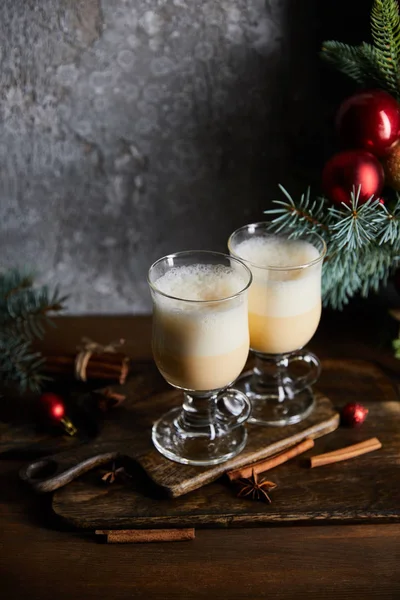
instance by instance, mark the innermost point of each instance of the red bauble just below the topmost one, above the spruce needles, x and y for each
(347, 171)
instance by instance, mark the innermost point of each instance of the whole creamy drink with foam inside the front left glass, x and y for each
(200, 346)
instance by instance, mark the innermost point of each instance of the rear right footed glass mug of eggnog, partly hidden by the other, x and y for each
(284, 313)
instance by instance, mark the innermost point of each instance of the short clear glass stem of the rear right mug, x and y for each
(269, 375)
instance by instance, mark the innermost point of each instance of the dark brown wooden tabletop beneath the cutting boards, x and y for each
(38, 561)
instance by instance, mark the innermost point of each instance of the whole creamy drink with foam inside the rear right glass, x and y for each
(284, 306)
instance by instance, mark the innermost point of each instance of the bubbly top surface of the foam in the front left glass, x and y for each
(200, 282)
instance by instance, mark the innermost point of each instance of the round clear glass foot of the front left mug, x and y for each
(205, 447)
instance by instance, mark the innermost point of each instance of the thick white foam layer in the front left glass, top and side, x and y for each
(202, 329)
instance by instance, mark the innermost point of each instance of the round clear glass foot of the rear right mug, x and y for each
(268, 409)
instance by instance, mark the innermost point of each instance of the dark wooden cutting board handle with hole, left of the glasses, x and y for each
(52, 472)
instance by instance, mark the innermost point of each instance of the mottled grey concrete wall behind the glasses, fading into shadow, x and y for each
(134, 128)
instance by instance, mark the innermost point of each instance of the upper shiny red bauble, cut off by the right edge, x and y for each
(369, 120)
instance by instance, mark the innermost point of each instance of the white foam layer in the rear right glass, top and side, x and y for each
(281, 293)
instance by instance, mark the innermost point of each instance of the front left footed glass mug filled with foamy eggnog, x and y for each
(200, 345)
